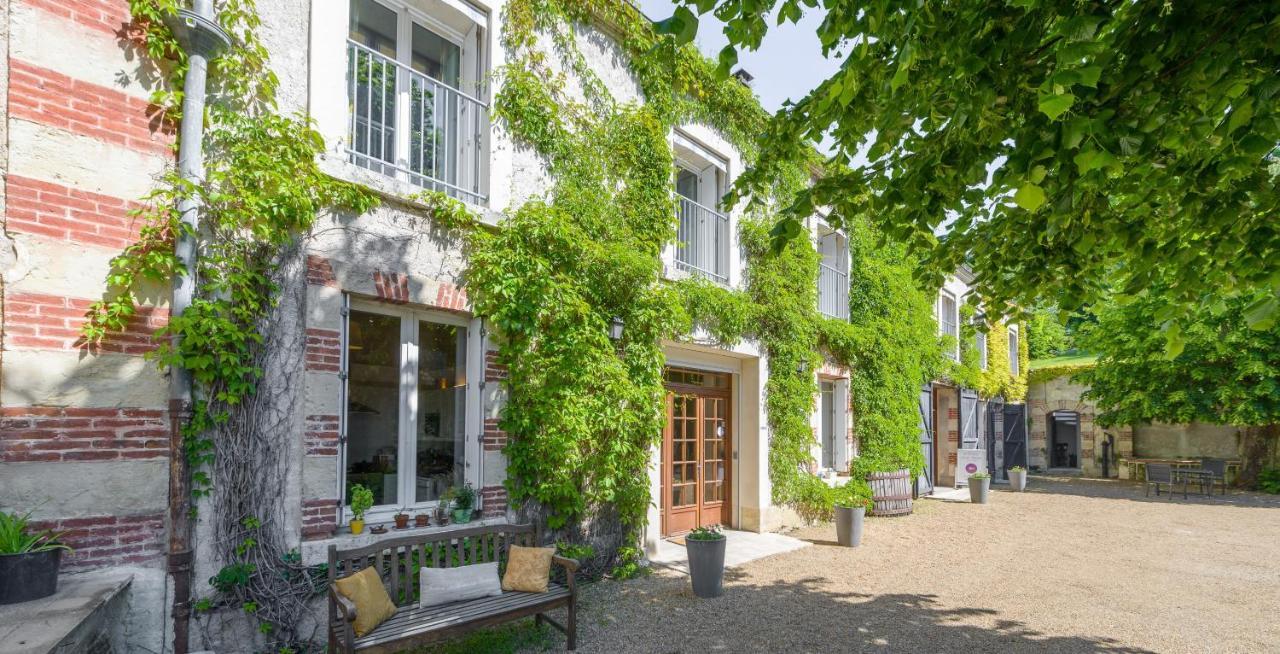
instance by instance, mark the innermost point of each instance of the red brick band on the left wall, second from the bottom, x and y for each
(83, 435)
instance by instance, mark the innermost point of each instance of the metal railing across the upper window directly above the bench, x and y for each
(445, 145)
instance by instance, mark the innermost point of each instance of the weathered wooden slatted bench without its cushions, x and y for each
(397, 562)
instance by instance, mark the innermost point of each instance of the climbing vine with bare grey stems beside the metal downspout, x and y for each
(262, 193)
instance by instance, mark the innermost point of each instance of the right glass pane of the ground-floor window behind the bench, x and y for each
(441, 432)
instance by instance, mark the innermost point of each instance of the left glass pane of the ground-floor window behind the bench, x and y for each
(373, 405)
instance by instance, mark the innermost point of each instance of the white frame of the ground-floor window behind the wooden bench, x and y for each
(406, 454)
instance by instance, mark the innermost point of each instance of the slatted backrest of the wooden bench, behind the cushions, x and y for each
(399, 560)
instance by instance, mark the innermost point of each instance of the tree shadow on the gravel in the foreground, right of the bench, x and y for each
(660, 615)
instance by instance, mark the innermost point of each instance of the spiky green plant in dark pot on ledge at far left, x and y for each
(29, 560)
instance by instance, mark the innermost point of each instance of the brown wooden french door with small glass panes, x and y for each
(696, 452)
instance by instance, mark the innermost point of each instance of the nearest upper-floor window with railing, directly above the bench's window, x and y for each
(414, 93)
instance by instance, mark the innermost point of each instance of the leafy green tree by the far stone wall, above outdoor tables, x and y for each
(1226, 374)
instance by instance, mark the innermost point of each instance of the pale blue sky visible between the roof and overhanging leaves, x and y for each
(788, 66)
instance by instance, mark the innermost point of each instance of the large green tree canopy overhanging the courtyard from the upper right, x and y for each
(1050, 143)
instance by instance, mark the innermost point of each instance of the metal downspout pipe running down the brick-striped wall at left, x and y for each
(202, 38)
